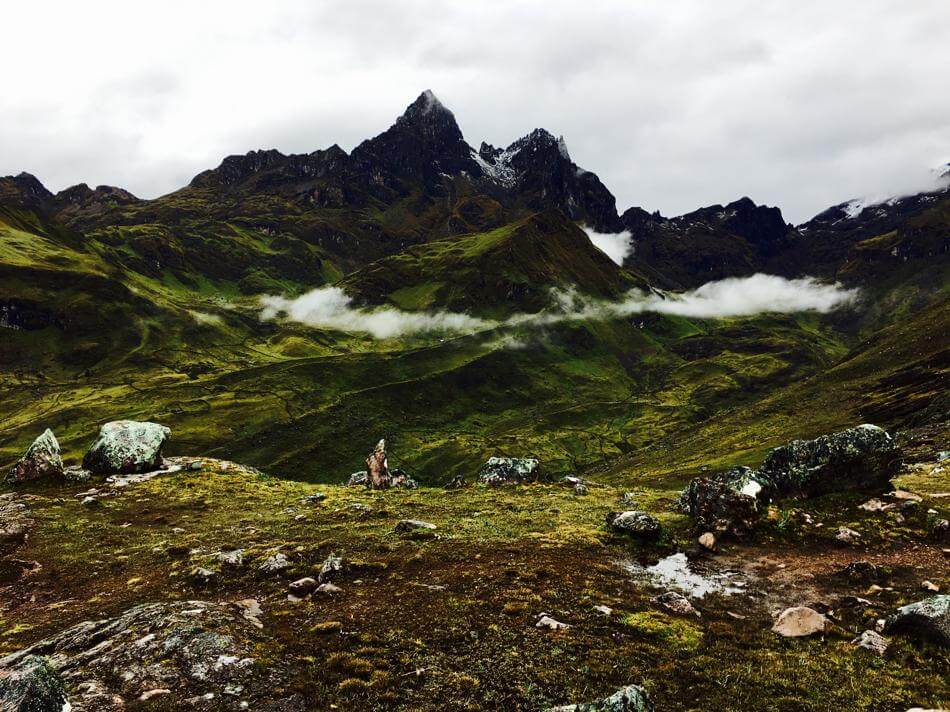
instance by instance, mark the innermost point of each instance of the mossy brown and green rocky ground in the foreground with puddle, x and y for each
(209, 585)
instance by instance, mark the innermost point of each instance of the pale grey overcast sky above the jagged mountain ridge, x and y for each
(673, 104)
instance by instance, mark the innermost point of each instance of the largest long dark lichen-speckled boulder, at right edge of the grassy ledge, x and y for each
(865, 457)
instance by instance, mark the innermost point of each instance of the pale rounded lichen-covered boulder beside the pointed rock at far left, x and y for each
(125, 447)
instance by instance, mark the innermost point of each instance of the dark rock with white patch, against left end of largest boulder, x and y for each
(727, 502)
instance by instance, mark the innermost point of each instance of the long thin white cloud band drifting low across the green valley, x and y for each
(331, 308)
